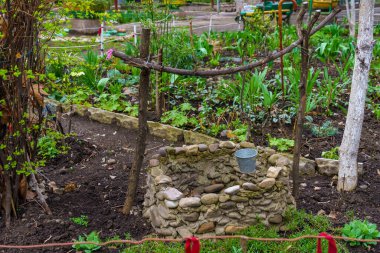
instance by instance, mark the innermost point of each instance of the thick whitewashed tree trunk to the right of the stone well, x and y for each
(348, 173)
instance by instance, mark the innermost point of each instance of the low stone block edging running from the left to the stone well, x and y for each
(167, 132)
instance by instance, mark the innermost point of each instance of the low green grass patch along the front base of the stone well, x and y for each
(297, 223)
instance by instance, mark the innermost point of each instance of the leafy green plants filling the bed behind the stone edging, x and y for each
(245, 102)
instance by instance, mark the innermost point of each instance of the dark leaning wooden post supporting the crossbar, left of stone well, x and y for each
(143, 125)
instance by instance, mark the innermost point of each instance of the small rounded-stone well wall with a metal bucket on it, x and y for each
(199, 189)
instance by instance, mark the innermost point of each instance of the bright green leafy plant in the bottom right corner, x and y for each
(361, 230)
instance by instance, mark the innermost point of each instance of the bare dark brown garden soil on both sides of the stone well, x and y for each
(94, 177)
